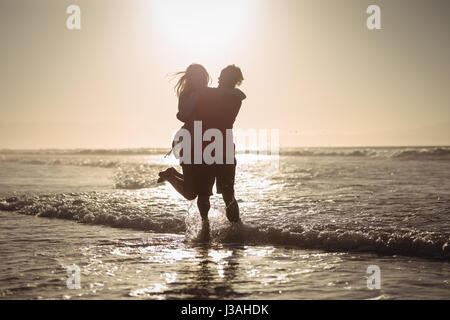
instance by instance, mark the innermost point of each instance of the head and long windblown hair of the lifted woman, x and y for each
(195, 77)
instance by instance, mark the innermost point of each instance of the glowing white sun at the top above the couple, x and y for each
(201, 24)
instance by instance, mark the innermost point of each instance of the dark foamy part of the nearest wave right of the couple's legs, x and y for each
(407, 243)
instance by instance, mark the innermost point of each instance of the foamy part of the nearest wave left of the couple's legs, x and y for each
(95, 208)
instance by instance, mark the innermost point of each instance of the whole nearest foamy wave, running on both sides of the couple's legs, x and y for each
(140, 214)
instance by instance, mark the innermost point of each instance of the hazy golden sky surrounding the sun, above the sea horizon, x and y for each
(312, 69)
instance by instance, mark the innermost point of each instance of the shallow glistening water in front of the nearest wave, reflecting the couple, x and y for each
(119, 264)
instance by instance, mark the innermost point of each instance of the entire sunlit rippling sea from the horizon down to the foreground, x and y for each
(314, 226)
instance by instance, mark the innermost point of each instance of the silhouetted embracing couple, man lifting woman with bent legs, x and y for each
(208, 115)
